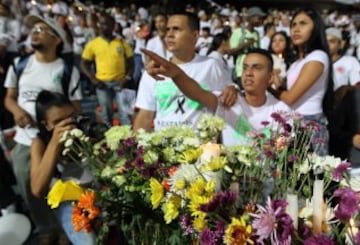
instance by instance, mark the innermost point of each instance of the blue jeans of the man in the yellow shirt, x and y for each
(106, 97)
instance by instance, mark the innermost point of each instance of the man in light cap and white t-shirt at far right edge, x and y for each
(346, 69)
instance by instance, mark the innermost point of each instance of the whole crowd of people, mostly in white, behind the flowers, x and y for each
(241, 64)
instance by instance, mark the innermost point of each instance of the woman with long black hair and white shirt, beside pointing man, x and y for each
(309, 80)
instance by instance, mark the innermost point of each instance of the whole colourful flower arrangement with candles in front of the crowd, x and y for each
(177, 186)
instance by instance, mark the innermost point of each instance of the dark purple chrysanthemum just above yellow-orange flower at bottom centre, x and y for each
(221, 199)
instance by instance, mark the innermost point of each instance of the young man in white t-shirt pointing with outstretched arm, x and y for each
(250, 109)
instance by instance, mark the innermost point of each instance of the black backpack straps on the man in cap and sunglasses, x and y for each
(65, 78)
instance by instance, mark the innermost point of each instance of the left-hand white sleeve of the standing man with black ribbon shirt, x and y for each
(146, 93)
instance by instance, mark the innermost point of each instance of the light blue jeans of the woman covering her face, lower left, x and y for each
(63, 214)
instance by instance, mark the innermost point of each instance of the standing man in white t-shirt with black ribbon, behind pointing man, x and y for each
(163, 101)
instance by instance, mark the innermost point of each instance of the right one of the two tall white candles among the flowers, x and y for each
(318, 206)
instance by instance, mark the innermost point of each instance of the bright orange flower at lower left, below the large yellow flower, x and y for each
(84, 212)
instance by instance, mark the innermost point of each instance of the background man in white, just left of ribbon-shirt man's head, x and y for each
(157, 43)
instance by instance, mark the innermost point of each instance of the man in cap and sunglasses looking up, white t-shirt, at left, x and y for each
(43, 71)
